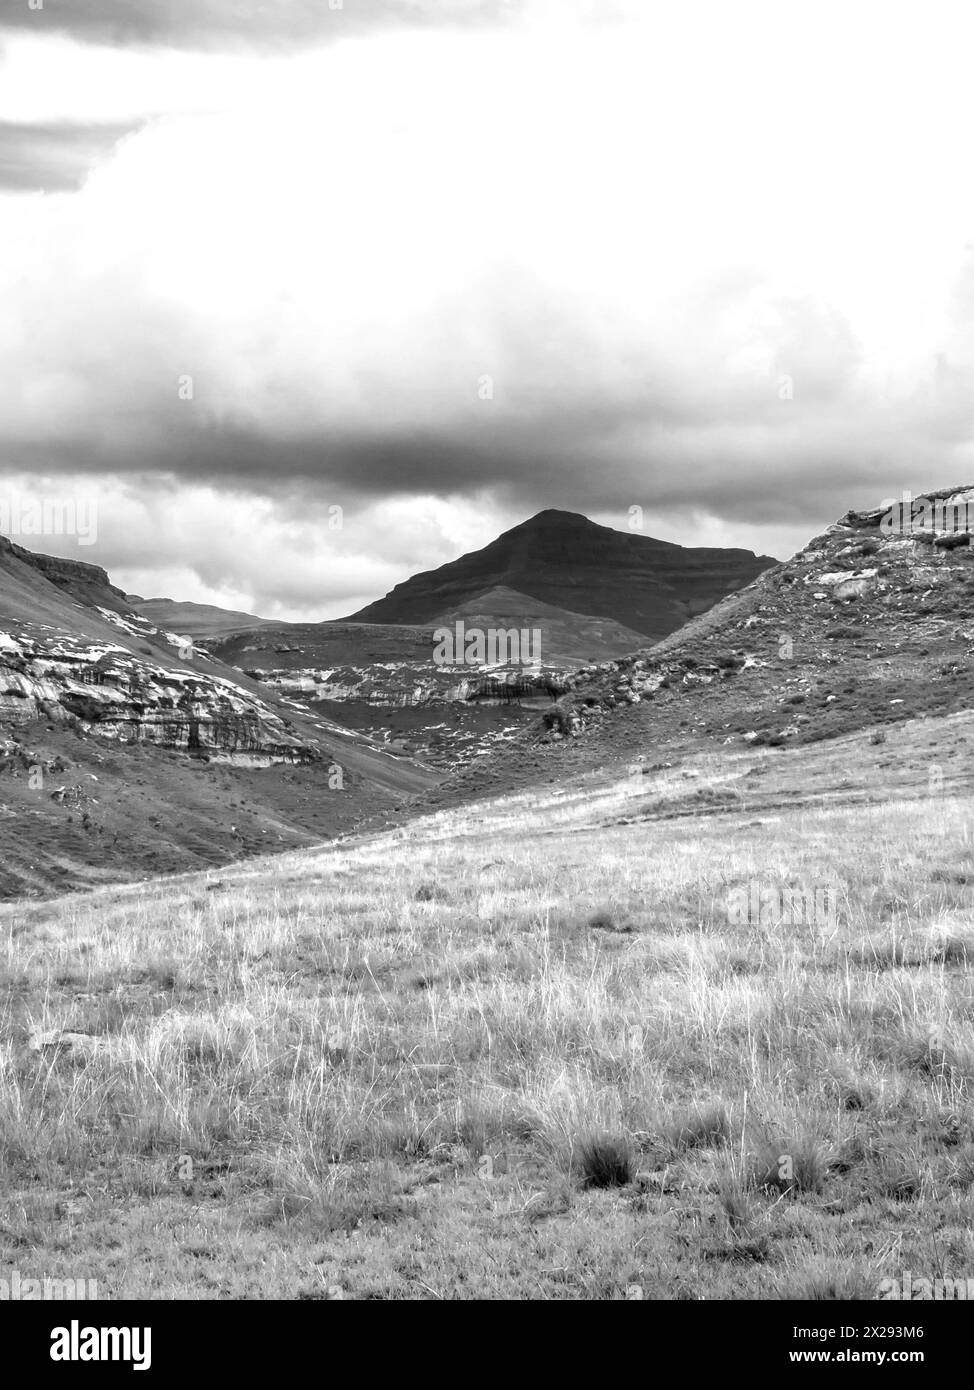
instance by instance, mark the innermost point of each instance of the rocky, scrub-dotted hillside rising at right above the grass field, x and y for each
(870, 623)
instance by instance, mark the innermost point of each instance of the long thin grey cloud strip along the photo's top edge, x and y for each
(206, 24)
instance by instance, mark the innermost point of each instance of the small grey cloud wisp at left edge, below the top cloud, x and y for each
(53, 158)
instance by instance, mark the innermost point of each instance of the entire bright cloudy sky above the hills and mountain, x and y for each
(444, 263)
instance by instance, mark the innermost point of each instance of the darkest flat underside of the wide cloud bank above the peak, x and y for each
(763, 462)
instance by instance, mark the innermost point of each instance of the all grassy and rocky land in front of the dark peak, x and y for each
(648, 985)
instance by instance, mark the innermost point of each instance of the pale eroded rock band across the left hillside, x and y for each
(116, 694)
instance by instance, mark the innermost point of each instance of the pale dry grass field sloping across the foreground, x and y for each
(520, 1050)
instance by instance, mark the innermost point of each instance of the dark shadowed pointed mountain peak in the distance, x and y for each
(563, 559)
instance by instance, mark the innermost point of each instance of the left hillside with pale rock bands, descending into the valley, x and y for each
(124, 753)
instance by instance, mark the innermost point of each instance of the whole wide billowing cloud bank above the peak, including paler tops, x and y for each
(573, 422)
